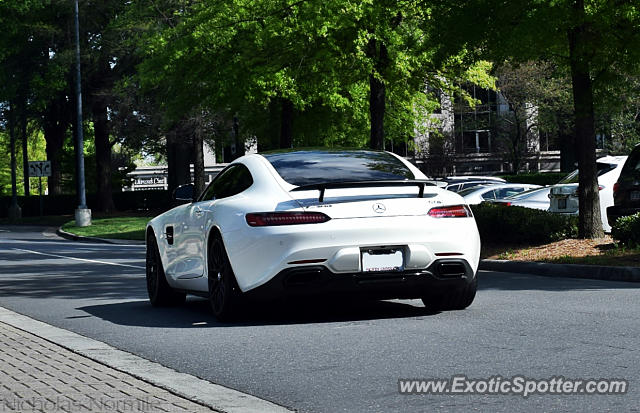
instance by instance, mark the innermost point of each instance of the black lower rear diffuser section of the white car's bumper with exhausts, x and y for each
(442, 276)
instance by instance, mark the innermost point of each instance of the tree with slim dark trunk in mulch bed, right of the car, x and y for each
(590, 38)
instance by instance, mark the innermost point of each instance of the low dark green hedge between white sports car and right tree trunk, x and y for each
(503, 224)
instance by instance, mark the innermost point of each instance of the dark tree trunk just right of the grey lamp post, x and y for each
(103, 154)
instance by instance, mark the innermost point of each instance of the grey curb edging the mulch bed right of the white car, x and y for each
(592, 272)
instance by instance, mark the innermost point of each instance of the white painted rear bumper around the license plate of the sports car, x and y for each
(257, 255)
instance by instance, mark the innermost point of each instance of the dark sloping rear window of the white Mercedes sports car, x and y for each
(314, 167)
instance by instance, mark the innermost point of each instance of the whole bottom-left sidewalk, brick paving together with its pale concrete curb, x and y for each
(46, 368)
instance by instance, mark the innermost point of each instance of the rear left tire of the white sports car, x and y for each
(224, 293)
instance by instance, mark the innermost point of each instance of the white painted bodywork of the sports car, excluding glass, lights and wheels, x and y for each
(258, 254)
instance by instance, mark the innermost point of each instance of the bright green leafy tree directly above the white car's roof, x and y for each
(278, 61)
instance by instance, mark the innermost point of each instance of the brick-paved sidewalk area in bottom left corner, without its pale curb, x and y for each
(38, 375)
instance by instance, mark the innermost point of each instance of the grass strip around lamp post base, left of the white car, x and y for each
(113, 228)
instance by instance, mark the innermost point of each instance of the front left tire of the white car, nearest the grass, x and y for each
(160, 293)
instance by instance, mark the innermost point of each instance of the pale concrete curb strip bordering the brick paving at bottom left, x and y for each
(214, 396)
